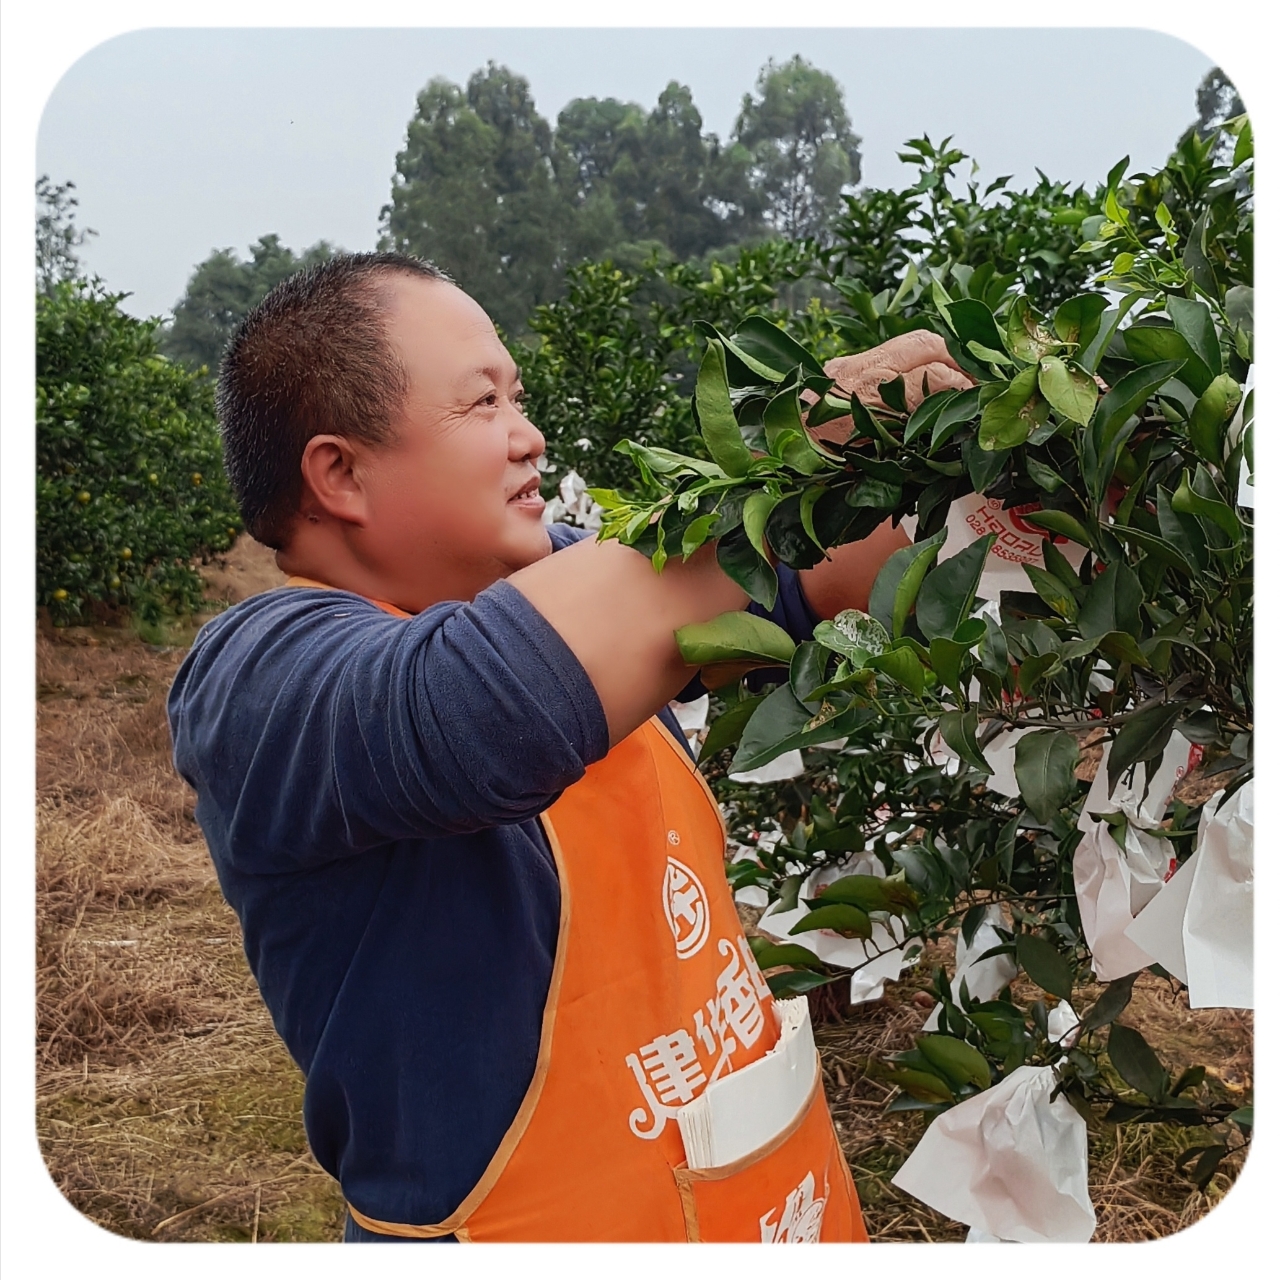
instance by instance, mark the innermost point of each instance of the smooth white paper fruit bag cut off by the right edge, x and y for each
(1201, 926)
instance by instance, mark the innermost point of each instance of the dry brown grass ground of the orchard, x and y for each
(170, 1110)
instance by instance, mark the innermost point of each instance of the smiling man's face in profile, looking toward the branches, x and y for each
(454, 501)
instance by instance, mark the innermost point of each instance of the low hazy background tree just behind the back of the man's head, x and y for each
(223, 291)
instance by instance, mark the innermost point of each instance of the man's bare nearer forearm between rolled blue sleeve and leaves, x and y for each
(619, 618)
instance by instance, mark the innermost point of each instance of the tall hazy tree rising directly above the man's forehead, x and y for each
(477, 193)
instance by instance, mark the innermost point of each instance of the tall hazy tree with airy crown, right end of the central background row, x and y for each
(799, 145)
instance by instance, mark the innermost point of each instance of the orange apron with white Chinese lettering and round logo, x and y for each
(655, 994)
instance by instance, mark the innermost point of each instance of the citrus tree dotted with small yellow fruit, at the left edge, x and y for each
(130, 483)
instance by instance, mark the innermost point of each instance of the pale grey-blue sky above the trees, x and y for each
(182, 141)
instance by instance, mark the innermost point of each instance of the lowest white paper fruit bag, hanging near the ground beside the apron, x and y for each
(1009, 1163)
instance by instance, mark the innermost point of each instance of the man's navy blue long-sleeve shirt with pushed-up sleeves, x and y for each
(369, 789)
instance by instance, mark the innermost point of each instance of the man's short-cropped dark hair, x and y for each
(312, 359)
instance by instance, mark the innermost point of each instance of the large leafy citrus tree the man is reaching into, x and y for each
(1116, 422)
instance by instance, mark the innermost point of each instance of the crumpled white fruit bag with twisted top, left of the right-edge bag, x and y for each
(1114, 884)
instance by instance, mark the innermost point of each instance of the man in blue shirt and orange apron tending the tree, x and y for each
(481, 885)
